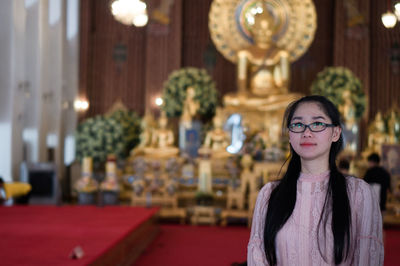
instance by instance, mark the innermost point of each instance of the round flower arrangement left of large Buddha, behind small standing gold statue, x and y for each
(174, 91)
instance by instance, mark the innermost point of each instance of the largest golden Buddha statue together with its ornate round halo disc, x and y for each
(262, 38)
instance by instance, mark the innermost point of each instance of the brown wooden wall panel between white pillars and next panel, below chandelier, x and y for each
(112, 59)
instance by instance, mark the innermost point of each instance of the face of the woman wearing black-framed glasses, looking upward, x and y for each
(313, 145)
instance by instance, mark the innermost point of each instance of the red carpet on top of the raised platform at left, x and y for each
(46, 235)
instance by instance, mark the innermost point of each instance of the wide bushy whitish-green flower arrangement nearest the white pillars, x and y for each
(100, 136)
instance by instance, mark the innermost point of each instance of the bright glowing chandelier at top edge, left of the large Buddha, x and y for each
(130, 12)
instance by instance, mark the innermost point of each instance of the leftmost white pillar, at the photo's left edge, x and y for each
(12, 74)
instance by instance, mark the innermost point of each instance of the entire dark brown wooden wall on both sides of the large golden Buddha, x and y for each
(131, 64)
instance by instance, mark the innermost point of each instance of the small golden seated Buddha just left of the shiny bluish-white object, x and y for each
(217, 140)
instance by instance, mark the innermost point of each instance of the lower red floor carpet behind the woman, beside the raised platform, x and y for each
(193, 245)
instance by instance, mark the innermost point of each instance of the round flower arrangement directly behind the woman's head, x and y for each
(336, 83)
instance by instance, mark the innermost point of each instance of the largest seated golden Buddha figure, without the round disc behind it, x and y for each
(262, 68)
